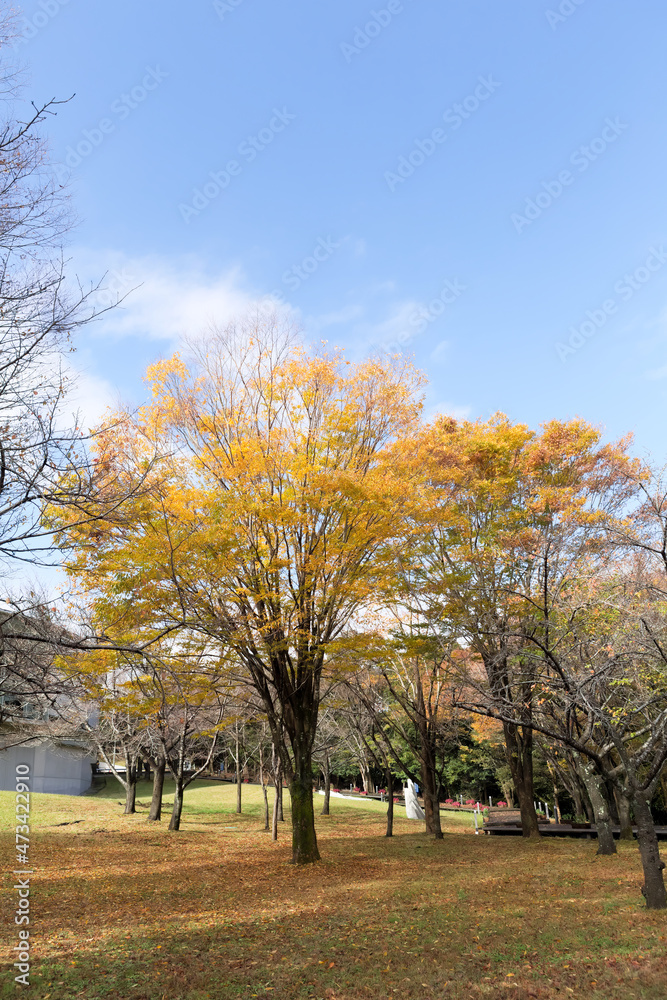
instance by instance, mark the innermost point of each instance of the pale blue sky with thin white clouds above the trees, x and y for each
(480, 184)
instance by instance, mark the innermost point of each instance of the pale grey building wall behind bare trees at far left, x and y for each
(57, 769)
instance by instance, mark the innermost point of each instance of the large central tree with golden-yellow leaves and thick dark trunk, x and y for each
(284, 475)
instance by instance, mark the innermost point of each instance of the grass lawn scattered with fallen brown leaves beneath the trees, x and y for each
(126, 910)
